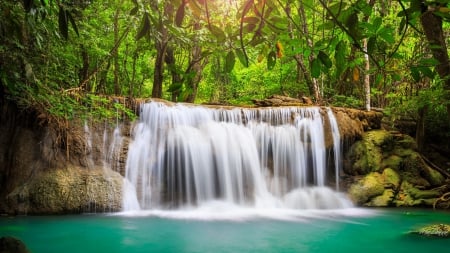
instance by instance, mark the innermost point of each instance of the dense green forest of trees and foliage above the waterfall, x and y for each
(63, 58)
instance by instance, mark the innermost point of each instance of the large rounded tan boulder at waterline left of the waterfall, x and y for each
(71, 190)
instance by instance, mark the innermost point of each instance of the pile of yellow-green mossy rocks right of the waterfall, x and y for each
(387, 170)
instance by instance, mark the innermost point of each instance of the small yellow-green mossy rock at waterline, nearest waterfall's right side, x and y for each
(368, 187)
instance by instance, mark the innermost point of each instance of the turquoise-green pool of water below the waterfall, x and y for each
(352, 230)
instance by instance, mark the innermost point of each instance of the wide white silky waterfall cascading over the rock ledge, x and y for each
(184, 156)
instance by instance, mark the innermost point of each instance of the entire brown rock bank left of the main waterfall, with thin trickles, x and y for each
(39, 174)
